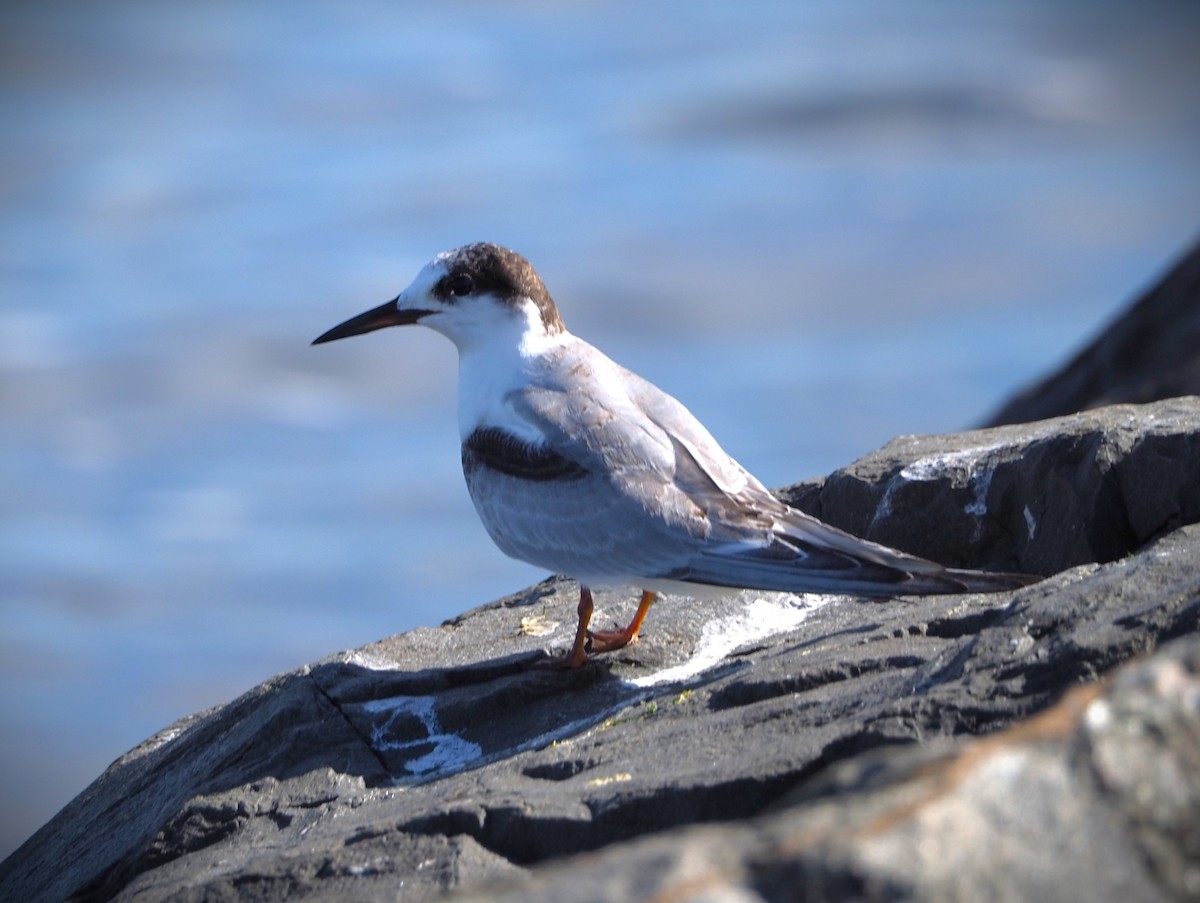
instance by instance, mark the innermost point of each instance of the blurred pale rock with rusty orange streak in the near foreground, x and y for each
(1093, 799)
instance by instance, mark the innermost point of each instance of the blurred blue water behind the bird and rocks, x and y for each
(819, 224)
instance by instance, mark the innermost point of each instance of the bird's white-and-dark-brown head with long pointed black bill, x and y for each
(470, 295)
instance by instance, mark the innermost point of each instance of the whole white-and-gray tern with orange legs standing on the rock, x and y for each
(580, 467)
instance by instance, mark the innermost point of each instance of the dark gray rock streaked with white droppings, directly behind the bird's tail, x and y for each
(1034, 498)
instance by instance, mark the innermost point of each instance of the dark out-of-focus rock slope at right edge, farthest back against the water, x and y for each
(1149, 354)
